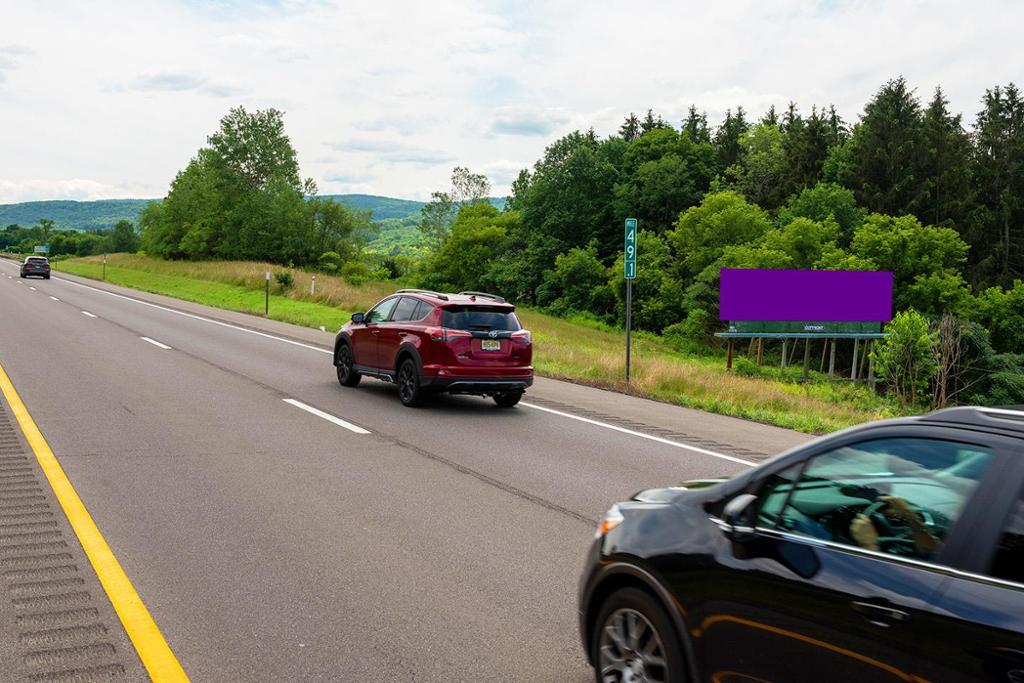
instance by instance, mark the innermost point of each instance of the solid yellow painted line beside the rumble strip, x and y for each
(153, 650)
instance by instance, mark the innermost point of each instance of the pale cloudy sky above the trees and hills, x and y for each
(108, 100)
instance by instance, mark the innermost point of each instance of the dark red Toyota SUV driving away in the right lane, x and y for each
(423, 341)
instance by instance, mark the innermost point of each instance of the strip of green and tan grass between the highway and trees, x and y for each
(576, 351)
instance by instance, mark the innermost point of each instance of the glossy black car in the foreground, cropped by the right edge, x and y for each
(893, 551)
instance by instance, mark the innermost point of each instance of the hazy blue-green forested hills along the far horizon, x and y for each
(102, 215)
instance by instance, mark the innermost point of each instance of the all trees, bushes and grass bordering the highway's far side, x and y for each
(907, 189)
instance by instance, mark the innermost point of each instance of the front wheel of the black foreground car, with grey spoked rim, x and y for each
(665, 661)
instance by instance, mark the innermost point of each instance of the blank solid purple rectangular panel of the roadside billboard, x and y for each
(855, 296)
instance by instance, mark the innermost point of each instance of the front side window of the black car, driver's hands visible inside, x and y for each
(897, 496)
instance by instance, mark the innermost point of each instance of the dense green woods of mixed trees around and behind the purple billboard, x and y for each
(907, 188)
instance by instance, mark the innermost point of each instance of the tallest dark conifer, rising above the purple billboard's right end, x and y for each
(887, 152)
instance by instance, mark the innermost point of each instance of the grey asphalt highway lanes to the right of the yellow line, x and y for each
(272, 544)
